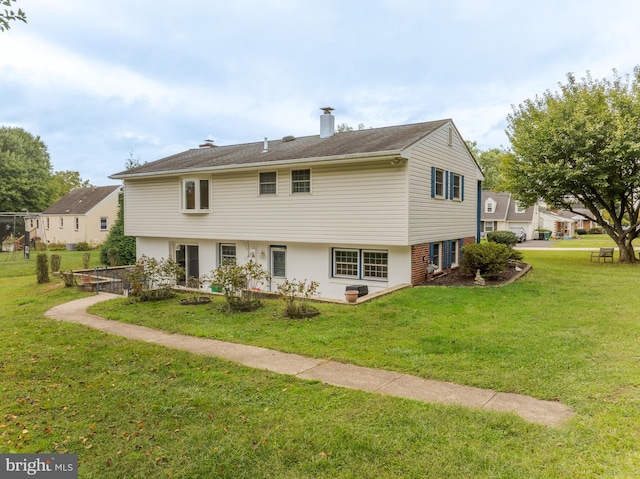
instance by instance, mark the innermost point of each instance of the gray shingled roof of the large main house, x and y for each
(373, 140)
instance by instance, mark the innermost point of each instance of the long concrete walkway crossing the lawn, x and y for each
(547, 413)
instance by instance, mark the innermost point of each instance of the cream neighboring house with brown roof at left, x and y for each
(82, 215)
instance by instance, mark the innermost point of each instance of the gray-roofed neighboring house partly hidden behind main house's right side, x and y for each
(500, 211)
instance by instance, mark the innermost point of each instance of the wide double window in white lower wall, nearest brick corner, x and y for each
(360, 264)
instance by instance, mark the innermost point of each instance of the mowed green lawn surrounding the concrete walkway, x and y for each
(567, 331)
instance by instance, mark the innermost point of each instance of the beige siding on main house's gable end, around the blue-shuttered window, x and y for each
(434, 219)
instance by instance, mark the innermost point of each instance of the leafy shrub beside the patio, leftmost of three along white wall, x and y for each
(153, 279)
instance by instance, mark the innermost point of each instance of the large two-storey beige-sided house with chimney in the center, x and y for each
(372, 207)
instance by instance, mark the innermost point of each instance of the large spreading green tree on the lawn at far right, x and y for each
(582, 145)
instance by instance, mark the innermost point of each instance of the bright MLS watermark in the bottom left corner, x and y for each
(40, 466)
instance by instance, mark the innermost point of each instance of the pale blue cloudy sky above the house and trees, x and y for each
(102, 79)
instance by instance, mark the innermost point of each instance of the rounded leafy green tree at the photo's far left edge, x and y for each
(25, 170)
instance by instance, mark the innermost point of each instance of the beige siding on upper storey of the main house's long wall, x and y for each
(348, 204)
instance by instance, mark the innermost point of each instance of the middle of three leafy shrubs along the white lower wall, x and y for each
(239, 285)
